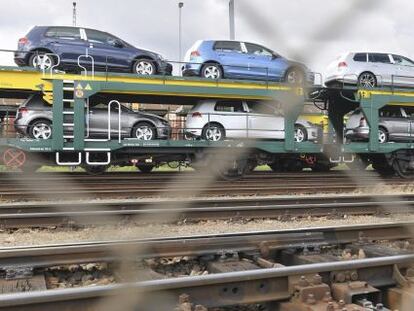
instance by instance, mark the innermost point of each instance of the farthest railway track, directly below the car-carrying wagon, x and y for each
(67, 186)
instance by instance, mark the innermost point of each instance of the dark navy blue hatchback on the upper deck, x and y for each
(41, 45)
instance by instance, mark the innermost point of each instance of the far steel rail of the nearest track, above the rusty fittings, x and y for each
(109, 251)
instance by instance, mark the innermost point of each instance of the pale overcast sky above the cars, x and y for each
(314, 31)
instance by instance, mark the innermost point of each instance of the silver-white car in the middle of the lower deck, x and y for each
(217, 120)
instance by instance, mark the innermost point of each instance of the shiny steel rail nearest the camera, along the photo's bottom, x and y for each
(88, 296)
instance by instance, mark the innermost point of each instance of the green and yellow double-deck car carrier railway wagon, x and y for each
(71, 95)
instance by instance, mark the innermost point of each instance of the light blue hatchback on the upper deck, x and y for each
(242, 60)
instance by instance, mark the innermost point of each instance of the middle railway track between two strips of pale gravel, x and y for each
(46, 214)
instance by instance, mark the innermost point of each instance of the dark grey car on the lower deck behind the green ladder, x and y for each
(34, 119)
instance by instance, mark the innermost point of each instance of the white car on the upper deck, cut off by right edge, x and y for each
(370, 70)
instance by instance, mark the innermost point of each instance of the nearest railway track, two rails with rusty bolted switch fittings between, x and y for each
(280, 263)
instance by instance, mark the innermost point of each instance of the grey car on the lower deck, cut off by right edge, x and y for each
(395, 124)
